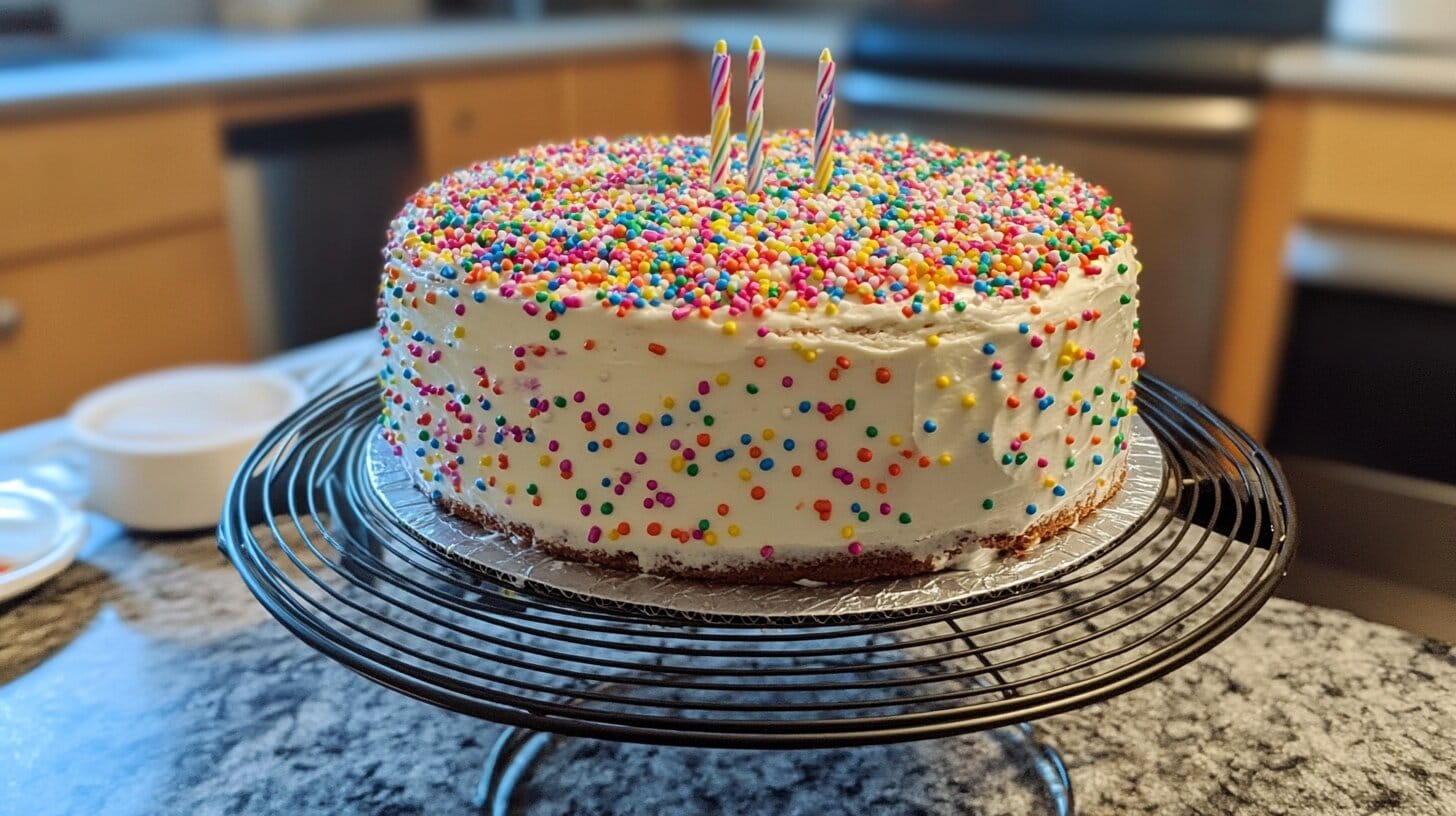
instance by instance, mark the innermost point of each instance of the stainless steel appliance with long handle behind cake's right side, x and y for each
(1154, 101)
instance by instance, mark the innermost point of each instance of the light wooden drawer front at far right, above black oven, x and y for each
(1384, 164)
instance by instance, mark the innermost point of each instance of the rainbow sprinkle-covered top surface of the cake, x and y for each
(634, 225)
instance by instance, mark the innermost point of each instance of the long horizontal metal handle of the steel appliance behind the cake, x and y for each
(1147, 114)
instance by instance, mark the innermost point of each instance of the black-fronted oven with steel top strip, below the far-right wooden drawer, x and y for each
(1365, 419)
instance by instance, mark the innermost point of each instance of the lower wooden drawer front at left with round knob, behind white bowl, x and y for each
(90, 318)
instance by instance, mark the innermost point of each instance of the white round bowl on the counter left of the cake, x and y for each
(162, 448)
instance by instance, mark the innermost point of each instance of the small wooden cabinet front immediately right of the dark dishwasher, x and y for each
(481, 117)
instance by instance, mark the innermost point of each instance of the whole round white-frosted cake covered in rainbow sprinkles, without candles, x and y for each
(590, 349)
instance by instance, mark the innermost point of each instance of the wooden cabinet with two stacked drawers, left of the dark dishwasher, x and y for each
(114, 259)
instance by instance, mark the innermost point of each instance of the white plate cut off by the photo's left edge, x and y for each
(40, 537)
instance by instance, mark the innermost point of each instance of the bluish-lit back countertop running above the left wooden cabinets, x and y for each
(170, 65)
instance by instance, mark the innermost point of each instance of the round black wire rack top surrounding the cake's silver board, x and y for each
(323, 554)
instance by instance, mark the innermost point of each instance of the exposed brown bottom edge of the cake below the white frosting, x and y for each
(836, 569)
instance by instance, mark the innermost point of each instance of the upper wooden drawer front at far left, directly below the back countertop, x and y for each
(78, 180)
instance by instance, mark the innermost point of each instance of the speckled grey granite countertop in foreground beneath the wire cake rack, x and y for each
(146, 680)
